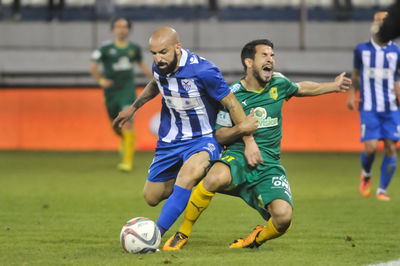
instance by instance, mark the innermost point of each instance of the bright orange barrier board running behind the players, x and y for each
(76, 119)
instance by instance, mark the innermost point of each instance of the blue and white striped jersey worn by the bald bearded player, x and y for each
(190, 98)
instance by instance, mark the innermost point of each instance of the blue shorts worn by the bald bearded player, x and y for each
(169, 157)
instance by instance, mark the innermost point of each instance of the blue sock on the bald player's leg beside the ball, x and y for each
(173, 207)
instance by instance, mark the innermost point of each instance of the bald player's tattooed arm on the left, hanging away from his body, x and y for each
(149, 92)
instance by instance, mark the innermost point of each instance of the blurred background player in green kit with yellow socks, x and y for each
(118, 80)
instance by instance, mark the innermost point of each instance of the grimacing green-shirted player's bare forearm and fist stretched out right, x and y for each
(310, 88)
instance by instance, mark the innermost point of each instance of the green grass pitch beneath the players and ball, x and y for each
(67, 208)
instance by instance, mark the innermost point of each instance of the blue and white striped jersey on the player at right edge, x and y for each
(378, 71)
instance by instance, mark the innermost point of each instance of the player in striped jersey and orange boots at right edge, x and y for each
(376, 66)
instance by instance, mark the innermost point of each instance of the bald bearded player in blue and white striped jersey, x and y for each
(191, 89)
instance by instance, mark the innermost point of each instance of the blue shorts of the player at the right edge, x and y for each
(380, 125)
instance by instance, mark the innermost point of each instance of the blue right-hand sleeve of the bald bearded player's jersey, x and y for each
(214, 83)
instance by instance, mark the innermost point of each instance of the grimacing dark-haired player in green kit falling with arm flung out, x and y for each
(262, 185)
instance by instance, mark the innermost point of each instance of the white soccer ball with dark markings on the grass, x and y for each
(140, 235)
